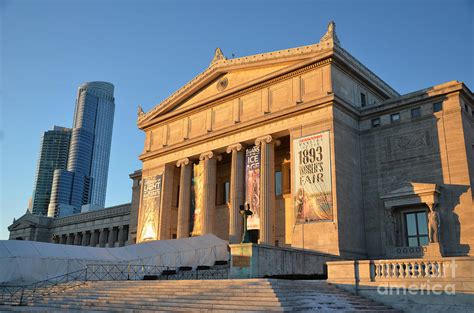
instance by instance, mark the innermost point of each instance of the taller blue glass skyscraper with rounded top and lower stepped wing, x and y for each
(82, 186)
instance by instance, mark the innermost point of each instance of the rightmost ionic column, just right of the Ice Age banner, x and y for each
(267, 188)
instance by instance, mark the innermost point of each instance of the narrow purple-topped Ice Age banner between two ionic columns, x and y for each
(252, 179)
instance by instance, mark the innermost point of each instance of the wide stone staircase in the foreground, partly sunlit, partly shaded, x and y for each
(231, 295)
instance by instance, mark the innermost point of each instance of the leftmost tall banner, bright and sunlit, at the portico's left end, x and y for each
(151, 203)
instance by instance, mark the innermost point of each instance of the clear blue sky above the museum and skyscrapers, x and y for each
(148, 49)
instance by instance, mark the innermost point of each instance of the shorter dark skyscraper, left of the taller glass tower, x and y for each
(53, 155)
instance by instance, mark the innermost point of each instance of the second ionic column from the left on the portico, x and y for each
(209, 191)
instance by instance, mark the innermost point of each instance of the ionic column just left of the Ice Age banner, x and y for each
(236, 192)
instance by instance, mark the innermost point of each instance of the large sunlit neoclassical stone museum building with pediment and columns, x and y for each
(327, 155)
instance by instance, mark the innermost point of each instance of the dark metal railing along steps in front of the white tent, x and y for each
(24, 294)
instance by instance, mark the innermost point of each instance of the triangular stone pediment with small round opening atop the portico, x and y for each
(226, 76)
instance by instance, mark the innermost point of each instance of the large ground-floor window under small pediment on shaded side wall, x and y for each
(416, 228)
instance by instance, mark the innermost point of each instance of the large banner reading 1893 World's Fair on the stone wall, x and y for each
(312, 170)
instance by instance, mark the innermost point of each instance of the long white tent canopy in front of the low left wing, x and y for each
(23, 262)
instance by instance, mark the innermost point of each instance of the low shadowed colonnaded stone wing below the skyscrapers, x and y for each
(110, 227)
